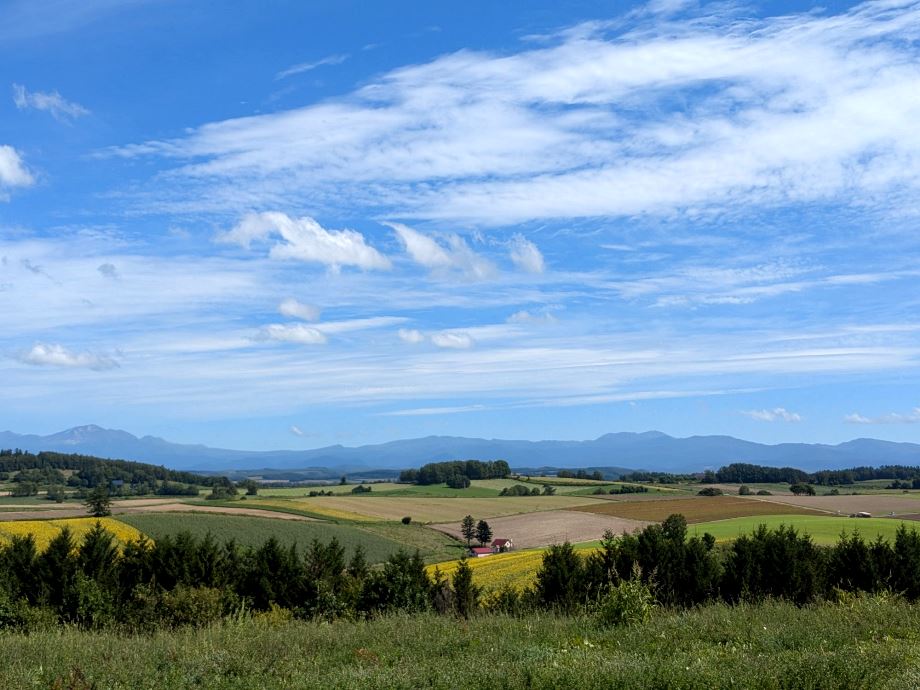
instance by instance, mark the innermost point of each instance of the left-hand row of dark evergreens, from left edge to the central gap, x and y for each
(183, 580)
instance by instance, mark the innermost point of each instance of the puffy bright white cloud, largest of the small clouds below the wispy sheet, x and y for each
(303, 239)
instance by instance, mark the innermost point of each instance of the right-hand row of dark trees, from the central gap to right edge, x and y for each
(769, 563)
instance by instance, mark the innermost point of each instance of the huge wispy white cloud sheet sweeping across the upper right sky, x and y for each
(668, 116)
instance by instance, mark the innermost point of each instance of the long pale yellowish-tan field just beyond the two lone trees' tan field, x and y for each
(438, 509)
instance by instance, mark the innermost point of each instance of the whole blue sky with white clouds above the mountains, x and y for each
(289, 225)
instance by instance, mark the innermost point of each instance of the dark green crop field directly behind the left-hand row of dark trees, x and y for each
(253, 531)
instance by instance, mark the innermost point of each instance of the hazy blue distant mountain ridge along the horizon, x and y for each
(651, 450)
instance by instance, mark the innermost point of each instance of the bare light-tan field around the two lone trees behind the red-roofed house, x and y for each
(549, 527)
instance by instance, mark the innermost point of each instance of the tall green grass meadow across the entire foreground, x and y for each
(865, 642)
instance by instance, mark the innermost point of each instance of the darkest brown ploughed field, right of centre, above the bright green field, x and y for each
(696, 509)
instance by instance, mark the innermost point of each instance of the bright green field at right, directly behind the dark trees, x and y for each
(823, 530)
